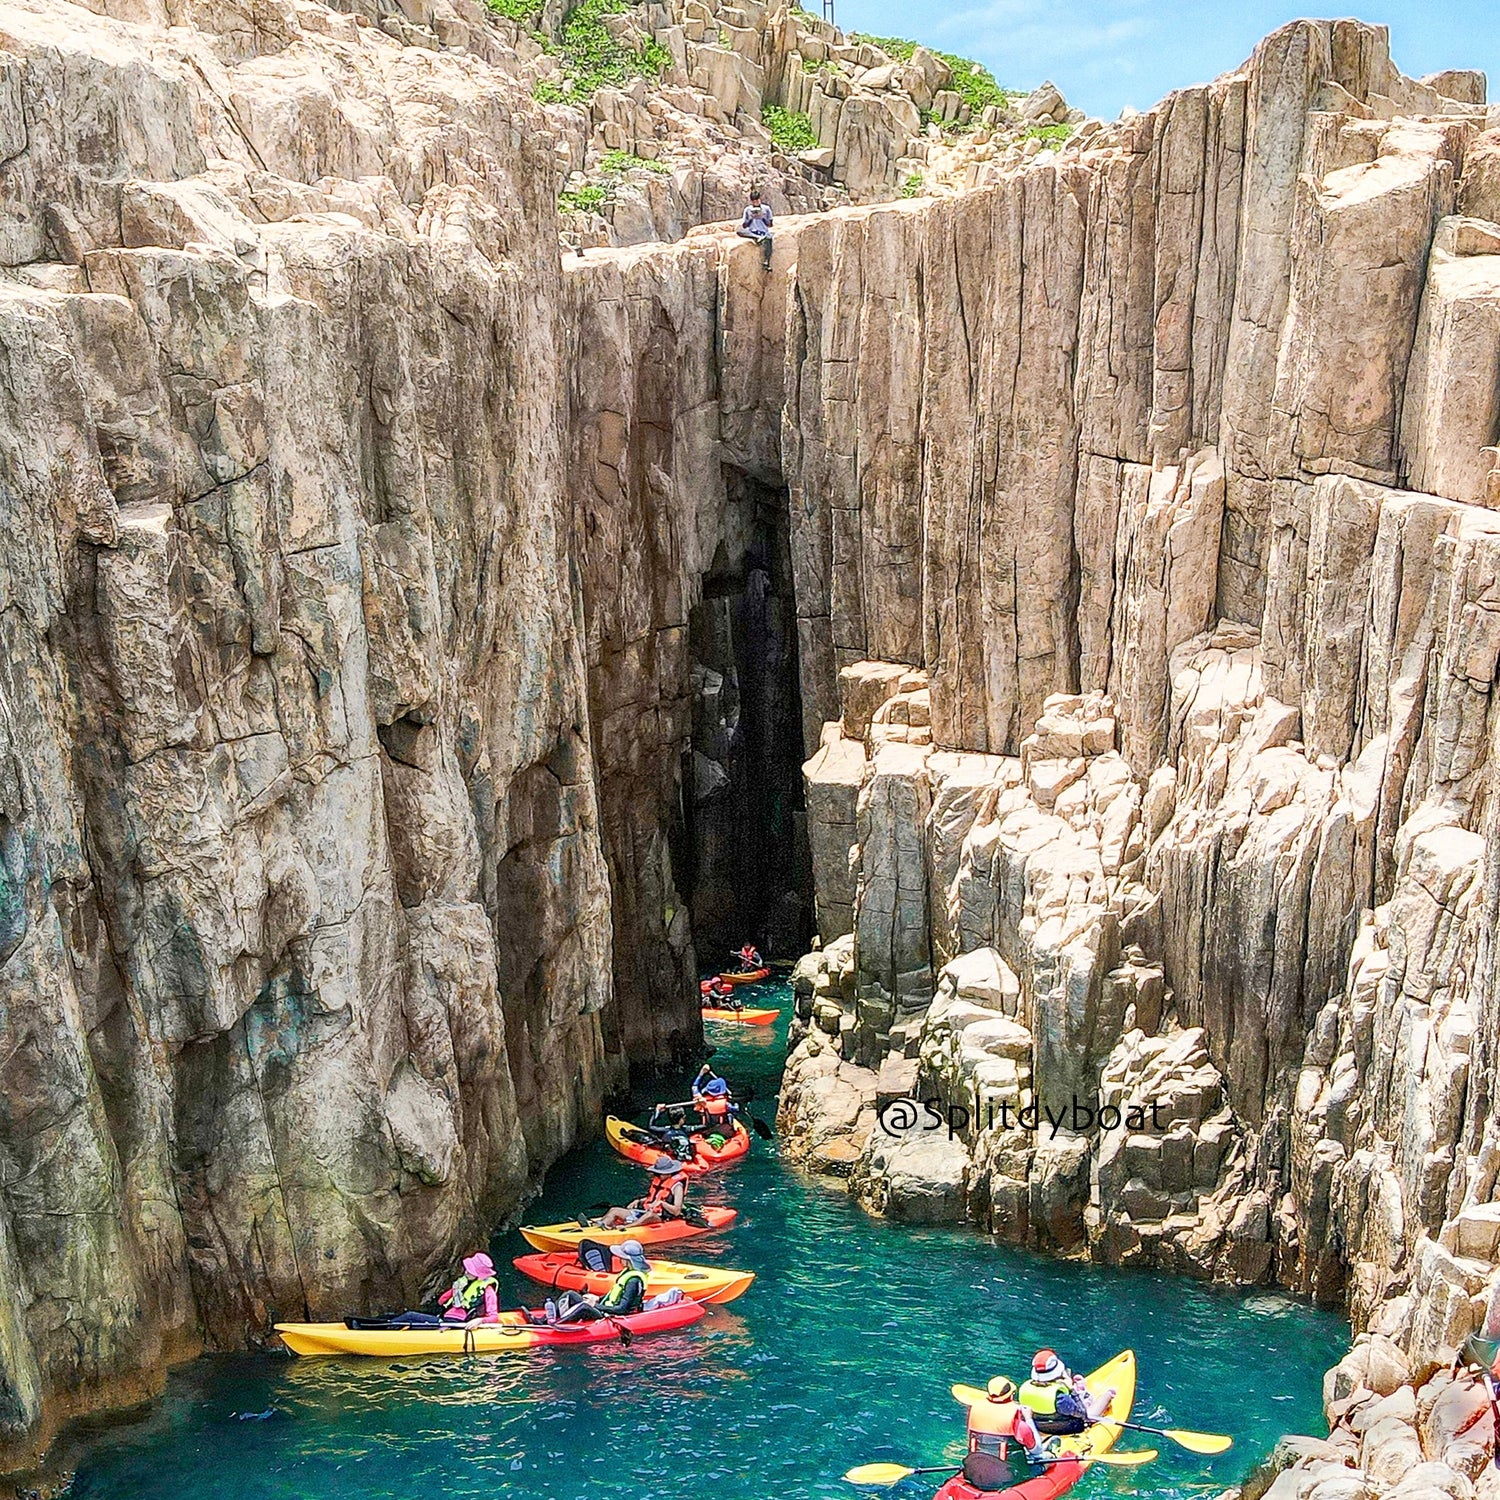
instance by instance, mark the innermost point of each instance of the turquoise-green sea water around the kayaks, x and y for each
(841, 1354)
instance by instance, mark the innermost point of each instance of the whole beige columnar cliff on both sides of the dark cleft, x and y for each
(401, 626)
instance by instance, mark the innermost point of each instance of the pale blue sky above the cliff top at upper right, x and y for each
(1112, 53)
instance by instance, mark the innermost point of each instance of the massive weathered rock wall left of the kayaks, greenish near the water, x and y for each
(307, 929)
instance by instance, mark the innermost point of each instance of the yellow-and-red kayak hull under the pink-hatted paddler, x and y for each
(511, 1336)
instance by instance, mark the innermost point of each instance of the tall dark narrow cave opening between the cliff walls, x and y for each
(743, 856)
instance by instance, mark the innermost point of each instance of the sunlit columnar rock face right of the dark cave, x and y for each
(1216, 443)
